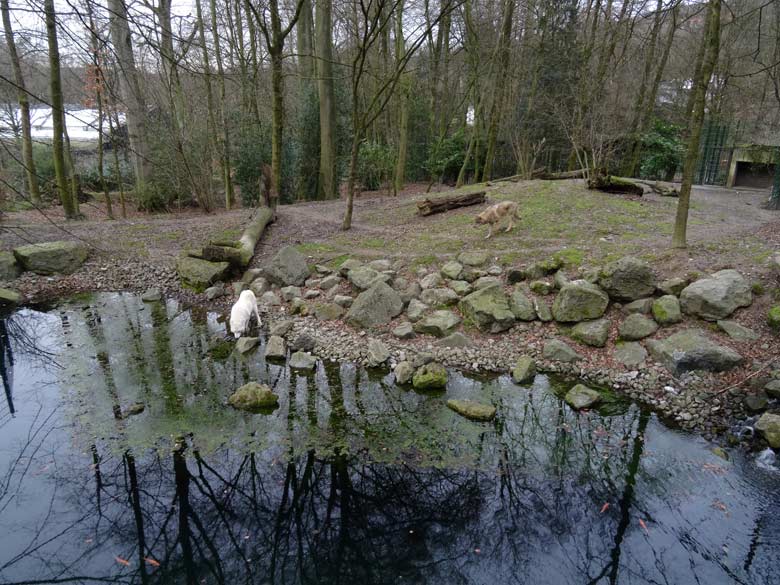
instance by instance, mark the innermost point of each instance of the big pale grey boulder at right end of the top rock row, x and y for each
(716, 297)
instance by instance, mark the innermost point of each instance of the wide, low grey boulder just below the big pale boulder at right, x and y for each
(692, 350)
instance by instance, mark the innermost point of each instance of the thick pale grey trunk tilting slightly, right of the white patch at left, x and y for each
(130, 88)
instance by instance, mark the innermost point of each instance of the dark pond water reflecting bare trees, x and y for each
(350, 480)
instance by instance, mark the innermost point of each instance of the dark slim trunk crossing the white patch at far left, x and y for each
(57, 112)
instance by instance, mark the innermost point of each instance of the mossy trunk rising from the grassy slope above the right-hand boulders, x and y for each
(712, 47)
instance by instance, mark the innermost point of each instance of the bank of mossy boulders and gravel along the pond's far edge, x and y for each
(616, 327)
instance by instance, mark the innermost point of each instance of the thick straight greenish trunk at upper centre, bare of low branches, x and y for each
(328, 187)
